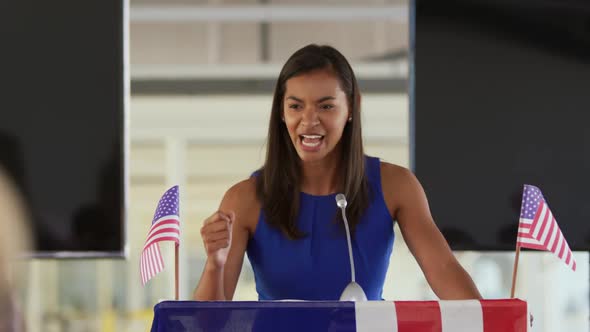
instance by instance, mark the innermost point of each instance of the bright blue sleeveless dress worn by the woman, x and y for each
(317, 266)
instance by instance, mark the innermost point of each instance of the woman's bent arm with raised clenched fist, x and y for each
(225, 236)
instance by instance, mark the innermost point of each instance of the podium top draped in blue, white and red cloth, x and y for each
(393, 316)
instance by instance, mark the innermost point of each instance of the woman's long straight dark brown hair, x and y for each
(278, 184)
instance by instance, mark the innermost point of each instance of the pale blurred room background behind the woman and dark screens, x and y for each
(201, 76)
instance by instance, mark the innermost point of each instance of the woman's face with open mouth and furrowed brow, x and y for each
(315, 111)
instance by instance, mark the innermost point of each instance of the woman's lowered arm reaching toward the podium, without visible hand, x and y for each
(408, 204)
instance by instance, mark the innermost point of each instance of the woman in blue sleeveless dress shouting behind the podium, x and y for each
(285, 216)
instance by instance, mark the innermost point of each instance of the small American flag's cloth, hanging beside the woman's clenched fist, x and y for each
(165, 227)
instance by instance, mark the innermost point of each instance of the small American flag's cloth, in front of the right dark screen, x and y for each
(538, 228)
